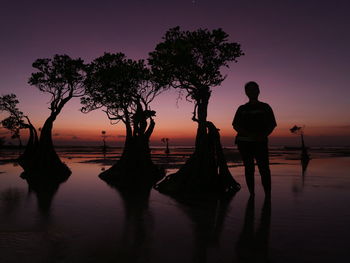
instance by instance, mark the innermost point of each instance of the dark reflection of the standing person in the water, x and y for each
(253, 246)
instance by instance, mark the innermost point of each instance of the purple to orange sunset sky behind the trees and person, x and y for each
(297, 50)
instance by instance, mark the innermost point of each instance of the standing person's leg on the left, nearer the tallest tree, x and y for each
(246, 151)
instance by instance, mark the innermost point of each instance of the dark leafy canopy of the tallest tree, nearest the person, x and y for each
(191, 60)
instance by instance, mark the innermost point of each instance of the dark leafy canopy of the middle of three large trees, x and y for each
(120, 86)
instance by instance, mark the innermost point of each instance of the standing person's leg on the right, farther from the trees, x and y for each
(262, 159)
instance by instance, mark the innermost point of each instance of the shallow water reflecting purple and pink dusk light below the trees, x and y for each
(88, 221)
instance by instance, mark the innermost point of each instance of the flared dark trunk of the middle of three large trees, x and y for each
(135, 167)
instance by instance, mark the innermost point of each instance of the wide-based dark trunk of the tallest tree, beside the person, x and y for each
(206, 171)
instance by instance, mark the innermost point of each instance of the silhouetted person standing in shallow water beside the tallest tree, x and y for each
(254, 122)
